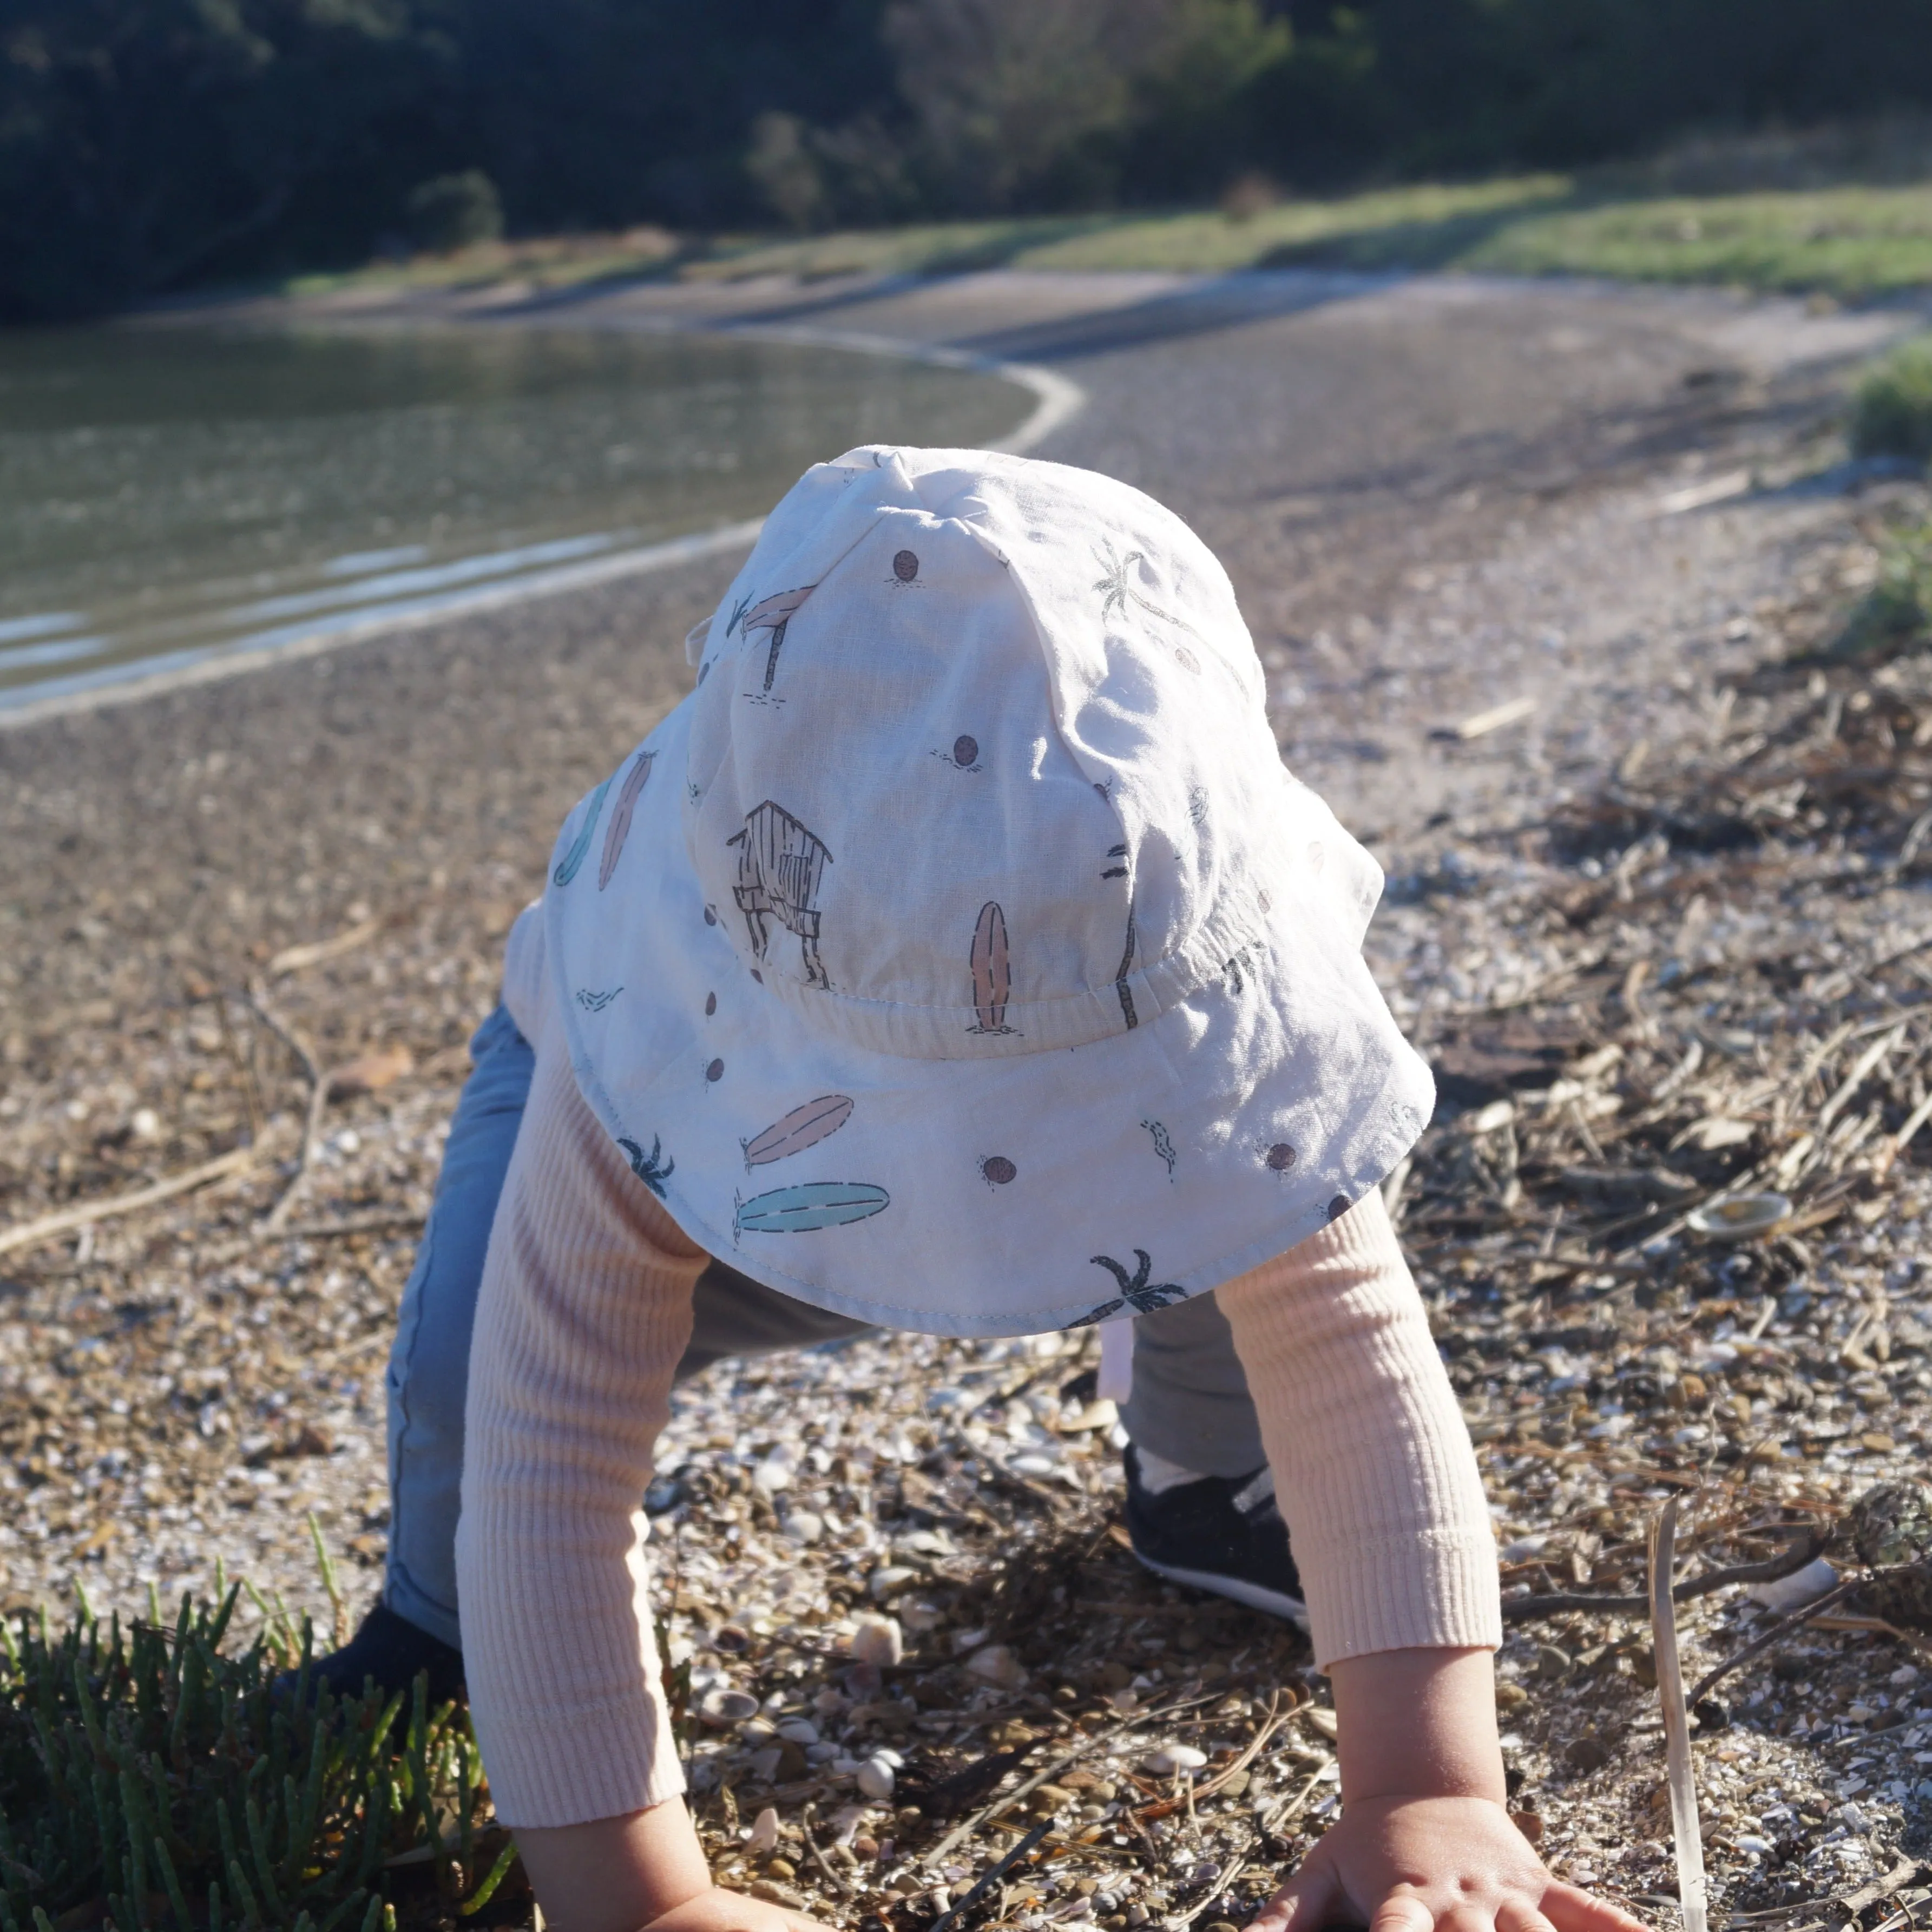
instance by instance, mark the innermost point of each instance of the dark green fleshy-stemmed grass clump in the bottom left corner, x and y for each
(152, 1782)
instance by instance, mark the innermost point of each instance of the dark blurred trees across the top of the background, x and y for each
(150, 146)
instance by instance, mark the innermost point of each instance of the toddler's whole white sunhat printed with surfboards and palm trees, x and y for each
(959, 955)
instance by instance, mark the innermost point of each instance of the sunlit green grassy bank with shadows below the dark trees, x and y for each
(1852, 242)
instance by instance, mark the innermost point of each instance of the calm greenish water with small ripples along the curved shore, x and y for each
(177, 494)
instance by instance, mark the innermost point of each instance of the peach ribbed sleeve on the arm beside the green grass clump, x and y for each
(586, 1309)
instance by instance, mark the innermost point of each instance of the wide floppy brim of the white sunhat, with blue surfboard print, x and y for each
(959, 1197)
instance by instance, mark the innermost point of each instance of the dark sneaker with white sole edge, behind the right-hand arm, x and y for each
(1218, 1533)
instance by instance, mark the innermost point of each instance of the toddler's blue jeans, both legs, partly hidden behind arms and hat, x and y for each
(1189, 1406)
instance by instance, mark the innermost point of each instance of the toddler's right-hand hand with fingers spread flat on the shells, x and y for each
(1433, 1865)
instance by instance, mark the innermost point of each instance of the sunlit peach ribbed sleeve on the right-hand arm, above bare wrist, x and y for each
(1373, 1462)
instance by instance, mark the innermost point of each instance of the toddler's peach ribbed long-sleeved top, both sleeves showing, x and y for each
(586, 1311)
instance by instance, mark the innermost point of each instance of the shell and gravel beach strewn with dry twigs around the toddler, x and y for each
(1436, 501)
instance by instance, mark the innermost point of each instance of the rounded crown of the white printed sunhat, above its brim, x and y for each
(979, 756)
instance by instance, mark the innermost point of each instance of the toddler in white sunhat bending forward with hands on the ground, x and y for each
(959, 957)
